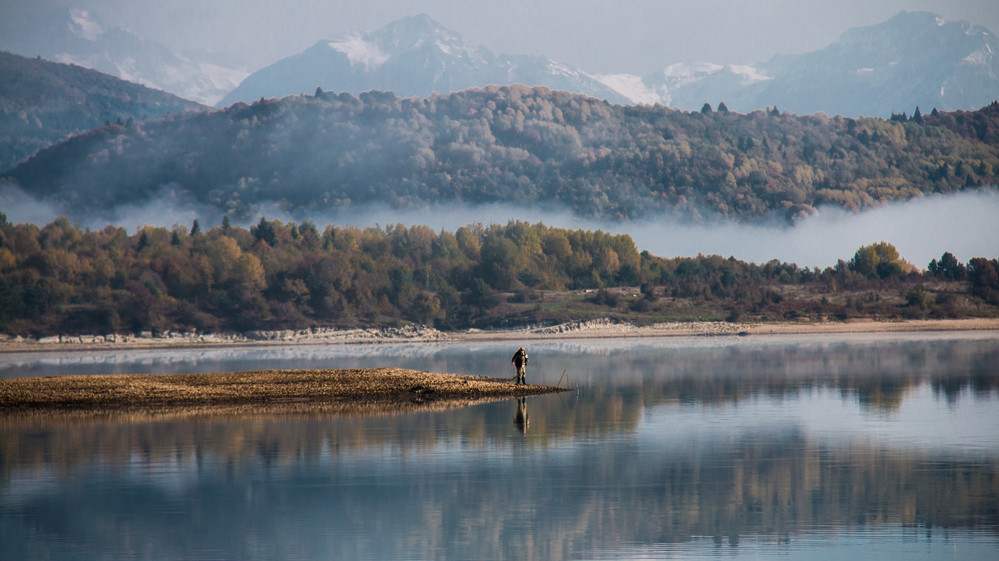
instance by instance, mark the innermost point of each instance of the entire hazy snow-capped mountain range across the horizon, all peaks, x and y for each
(913, 59)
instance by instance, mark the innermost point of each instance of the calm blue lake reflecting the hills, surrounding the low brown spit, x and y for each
(847, 447)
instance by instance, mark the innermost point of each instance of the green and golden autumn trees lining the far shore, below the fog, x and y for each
(59, 279)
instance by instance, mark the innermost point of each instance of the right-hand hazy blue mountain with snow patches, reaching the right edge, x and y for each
(913, 59)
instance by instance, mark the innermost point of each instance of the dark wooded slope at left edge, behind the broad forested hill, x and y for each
(42, 103)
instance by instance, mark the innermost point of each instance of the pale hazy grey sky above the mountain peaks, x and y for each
(597, 36)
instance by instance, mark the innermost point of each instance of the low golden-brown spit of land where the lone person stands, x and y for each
(346, 392)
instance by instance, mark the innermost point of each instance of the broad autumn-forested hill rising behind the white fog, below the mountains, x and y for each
(516, 145)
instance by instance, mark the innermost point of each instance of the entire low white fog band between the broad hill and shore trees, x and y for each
(964, 224)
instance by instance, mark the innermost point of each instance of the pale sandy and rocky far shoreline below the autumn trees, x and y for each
(573, 330)
